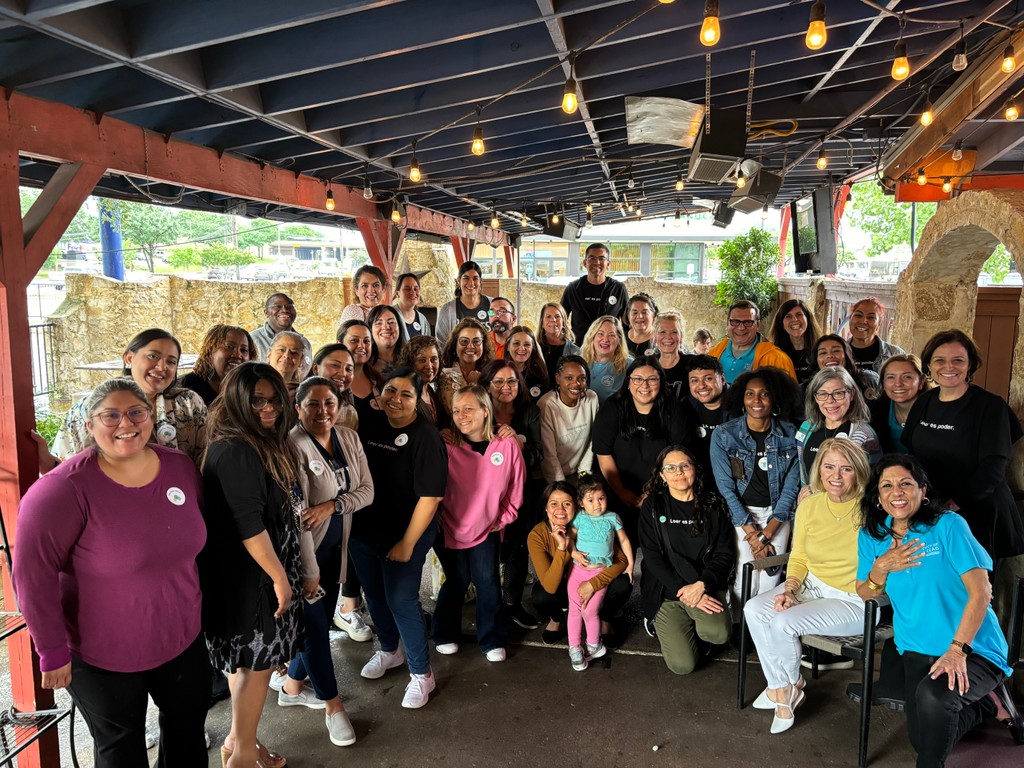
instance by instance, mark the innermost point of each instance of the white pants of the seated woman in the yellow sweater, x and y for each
(821, 611)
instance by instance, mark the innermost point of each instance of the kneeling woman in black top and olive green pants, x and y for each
(689, 553)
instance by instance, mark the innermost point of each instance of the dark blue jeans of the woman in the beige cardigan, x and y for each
(315, 661)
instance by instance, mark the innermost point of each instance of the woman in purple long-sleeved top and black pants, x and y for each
(108, 583)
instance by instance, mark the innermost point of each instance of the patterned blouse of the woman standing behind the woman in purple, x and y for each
(181, 424)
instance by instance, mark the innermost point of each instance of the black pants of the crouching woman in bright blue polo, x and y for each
(936, 717)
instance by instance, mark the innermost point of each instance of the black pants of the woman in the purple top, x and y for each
(114, 707)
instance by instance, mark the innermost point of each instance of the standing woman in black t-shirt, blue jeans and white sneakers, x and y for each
(391, 538)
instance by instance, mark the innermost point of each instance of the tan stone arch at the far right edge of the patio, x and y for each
(940, 288)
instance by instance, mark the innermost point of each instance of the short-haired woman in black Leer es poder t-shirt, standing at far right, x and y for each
(963, 437)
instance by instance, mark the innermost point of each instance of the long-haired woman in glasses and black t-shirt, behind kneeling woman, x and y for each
(631, 430)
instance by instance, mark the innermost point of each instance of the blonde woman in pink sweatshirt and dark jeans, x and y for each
(484, 495)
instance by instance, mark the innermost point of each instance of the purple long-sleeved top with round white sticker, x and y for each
(108, 574)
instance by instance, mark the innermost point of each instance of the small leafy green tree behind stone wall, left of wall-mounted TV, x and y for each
(748, 264)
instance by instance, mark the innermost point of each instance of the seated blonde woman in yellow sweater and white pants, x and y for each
(820, 596)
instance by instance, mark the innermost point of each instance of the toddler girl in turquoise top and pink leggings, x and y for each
(594, 534)
